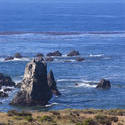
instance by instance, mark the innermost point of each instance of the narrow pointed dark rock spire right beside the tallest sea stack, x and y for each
(52, 83)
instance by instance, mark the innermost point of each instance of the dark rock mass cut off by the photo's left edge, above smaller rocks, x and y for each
(6, 80)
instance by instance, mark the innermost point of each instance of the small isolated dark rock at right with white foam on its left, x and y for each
(104, 84)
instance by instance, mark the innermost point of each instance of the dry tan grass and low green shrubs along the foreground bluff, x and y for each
(64, 117)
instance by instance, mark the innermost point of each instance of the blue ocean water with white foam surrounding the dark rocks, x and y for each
(98, 35)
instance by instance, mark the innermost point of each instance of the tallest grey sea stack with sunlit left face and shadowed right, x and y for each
(34, 88)
